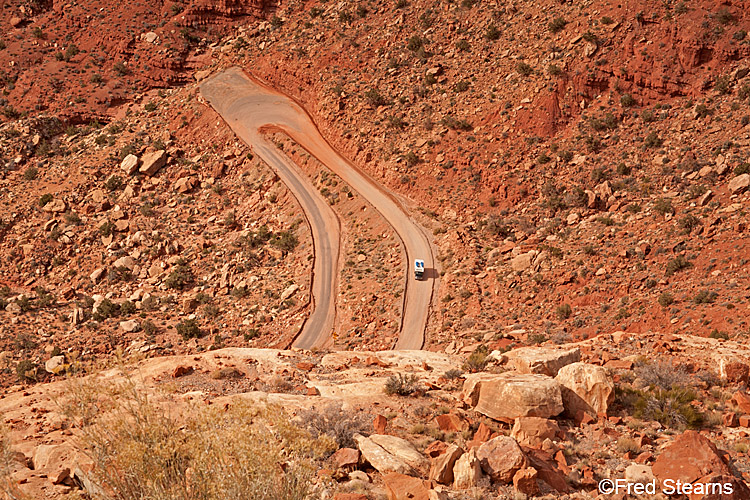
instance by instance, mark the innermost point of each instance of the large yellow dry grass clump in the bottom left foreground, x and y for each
(232, 452)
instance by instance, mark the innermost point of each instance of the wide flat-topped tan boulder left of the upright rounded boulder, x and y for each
(510, 395)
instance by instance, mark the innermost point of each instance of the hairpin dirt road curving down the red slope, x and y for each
(250, 107)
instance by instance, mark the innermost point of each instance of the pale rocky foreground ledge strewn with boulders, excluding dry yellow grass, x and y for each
(548, 421)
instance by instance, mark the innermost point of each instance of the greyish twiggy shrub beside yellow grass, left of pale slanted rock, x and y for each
(336, 423)
